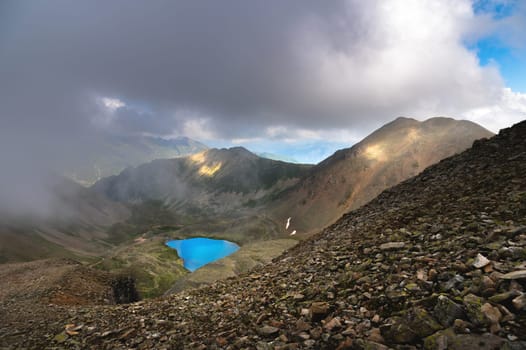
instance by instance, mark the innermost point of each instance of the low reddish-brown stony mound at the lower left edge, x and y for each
(34, 292)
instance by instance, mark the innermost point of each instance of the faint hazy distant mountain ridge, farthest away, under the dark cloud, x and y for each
(117, 153)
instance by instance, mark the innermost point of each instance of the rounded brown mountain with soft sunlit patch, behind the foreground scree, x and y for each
(353, 176)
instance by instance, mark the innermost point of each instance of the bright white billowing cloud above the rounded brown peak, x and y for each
(401, 57)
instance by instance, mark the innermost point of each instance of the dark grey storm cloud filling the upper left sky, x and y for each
(234, 60)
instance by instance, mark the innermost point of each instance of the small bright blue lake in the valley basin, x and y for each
(197, 252)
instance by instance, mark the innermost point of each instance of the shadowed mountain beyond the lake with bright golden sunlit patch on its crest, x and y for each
(216, 181)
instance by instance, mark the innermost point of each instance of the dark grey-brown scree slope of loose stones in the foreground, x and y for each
(436, 262)
